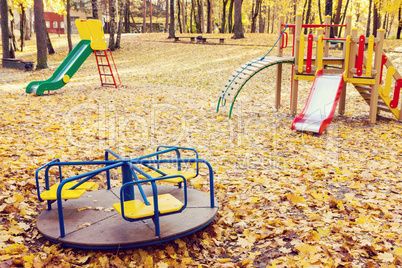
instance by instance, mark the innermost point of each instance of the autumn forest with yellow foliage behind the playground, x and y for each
(193, 16)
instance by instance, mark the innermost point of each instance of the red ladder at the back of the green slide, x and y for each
(108, 75)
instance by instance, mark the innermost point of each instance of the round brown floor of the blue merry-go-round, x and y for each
(92, 223)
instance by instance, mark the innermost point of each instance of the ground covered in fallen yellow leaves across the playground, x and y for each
(287, 199)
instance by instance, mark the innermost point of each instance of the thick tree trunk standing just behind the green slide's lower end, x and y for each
(40, 30)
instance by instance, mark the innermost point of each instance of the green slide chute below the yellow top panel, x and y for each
(65, 71)
